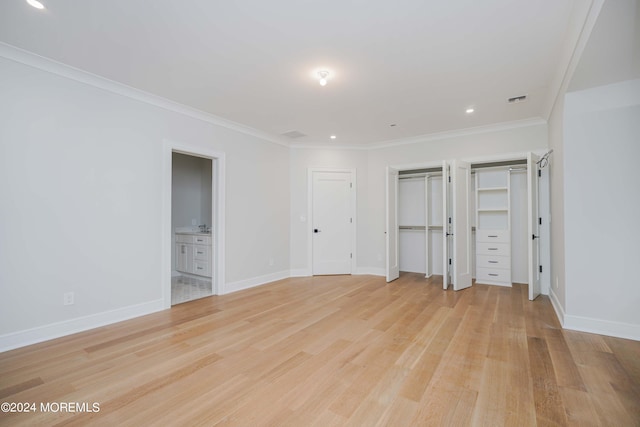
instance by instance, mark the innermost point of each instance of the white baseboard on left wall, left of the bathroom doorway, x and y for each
(59, 329)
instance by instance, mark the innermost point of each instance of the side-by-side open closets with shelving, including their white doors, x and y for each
(471, 222)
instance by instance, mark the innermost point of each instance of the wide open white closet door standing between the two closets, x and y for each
(461, 213)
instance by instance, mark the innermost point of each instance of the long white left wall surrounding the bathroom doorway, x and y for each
(81, 201)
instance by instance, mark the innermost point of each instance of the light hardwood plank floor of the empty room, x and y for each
(340, 350)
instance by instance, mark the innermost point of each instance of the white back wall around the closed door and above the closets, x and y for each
(370, 165)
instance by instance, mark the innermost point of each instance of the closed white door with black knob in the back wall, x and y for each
(332, 218)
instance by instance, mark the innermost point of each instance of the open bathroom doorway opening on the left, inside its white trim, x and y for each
(191, 220)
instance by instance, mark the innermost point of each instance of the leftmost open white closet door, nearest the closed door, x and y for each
(391, 191)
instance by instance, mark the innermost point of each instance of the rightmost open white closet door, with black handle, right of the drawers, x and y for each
(534, 231)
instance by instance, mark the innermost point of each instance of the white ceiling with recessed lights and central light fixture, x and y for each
(415, 63)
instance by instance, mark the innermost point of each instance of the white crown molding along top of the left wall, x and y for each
(36, 61)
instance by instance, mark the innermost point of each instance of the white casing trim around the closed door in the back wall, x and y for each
(354, 207)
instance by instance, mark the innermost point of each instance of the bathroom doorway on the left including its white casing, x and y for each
(192, 223)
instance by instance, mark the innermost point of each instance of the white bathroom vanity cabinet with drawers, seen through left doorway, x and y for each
(193, 254)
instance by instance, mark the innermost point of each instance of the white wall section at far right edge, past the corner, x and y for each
(602, 201)
